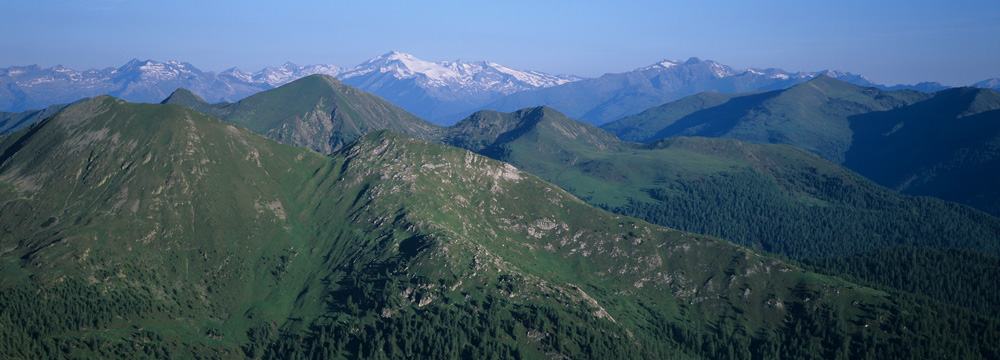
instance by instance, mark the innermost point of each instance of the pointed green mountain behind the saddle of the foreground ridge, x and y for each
(317, 111)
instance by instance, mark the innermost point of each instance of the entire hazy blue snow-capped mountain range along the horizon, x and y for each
(442, 92)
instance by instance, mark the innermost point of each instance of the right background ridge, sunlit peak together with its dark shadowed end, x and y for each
(942, 144)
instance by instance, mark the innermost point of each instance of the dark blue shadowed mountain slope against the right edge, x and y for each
(947, 147)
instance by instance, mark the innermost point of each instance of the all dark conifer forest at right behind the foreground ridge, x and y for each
(904, 242)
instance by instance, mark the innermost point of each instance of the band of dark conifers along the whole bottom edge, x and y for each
(78, 320)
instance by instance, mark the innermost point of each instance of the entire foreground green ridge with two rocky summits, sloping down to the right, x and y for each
(154, 231)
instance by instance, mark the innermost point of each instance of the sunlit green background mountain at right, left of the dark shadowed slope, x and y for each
(811, 116)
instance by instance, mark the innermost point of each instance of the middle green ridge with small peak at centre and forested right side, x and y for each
(775, 198)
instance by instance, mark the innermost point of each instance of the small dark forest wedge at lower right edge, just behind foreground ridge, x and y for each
(965, 278)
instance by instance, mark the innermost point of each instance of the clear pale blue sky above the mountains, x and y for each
(955, 43)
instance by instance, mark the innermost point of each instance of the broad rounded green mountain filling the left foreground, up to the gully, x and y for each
(99, 195)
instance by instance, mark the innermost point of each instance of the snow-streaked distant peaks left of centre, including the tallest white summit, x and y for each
(431, 90)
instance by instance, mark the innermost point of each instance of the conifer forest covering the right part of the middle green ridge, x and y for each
(750, 209)
